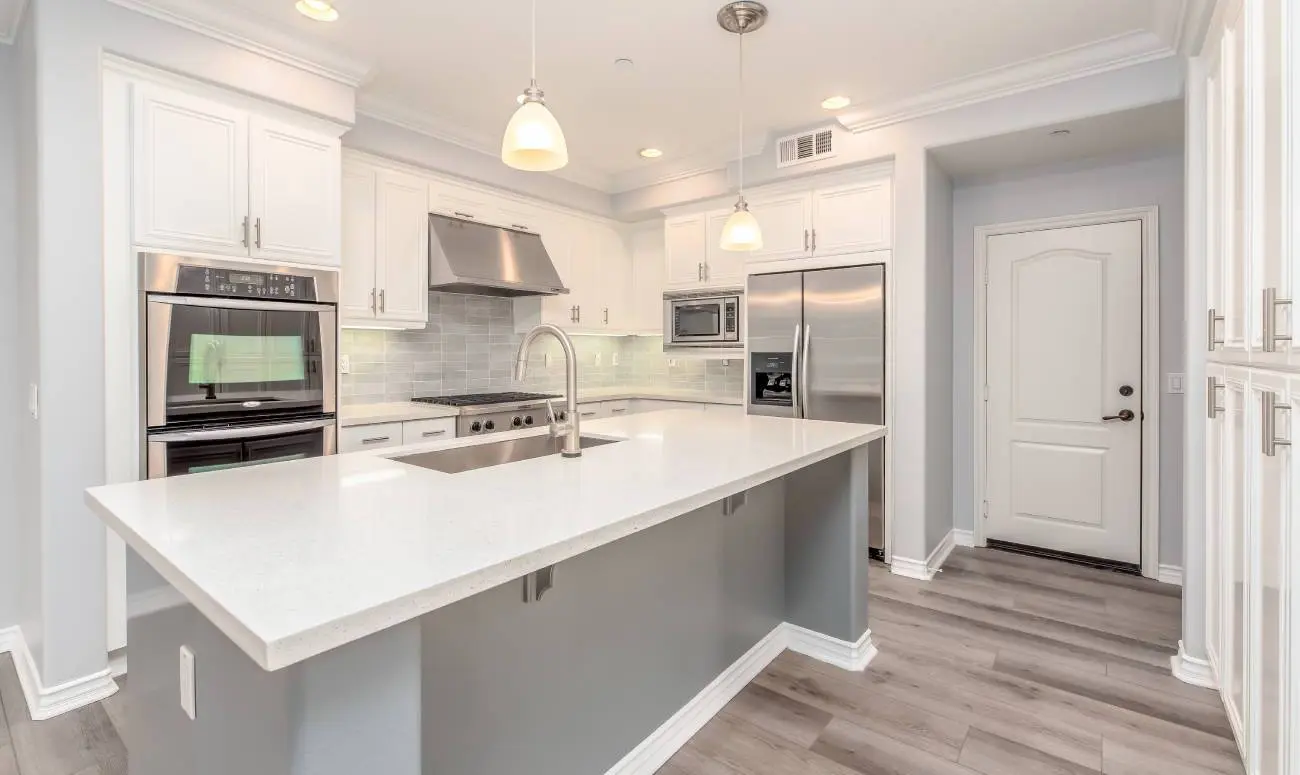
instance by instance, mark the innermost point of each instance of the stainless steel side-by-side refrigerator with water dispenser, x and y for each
(817, 350)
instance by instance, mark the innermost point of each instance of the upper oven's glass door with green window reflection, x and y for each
(215, 361)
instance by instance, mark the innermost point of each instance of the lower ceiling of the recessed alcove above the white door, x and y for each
(1130, 133)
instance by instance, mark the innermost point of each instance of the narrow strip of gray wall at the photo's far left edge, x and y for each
(10, 406)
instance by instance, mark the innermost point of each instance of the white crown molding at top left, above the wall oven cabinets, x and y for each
(220, 23)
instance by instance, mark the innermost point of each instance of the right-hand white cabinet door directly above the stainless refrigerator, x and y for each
(853, 219)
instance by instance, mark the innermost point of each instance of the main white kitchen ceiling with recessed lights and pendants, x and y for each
(456, 68)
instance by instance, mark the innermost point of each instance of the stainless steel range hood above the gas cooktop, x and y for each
(471, 258)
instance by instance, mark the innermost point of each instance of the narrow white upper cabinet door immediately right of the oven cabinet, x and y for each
(358, 293)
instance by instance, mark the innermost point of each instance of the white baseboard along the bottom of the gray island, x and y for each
(664, 743)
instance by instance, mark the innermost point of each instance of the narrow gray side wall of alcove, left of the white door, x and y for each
(939, 356)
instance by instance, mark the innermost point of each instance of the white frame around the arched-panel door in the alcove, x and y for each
(1151, 375)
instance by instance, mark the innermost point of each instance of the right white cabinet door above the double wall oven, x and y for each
(294, 179)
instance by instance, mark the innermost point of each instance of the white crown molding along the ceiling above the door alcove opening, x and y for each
(1103, 57)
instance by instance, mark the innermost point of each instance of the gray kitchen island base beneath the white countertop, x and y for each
(636, 646)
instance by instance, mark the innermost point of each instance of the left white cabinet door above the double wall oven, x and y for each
(190, 174)
